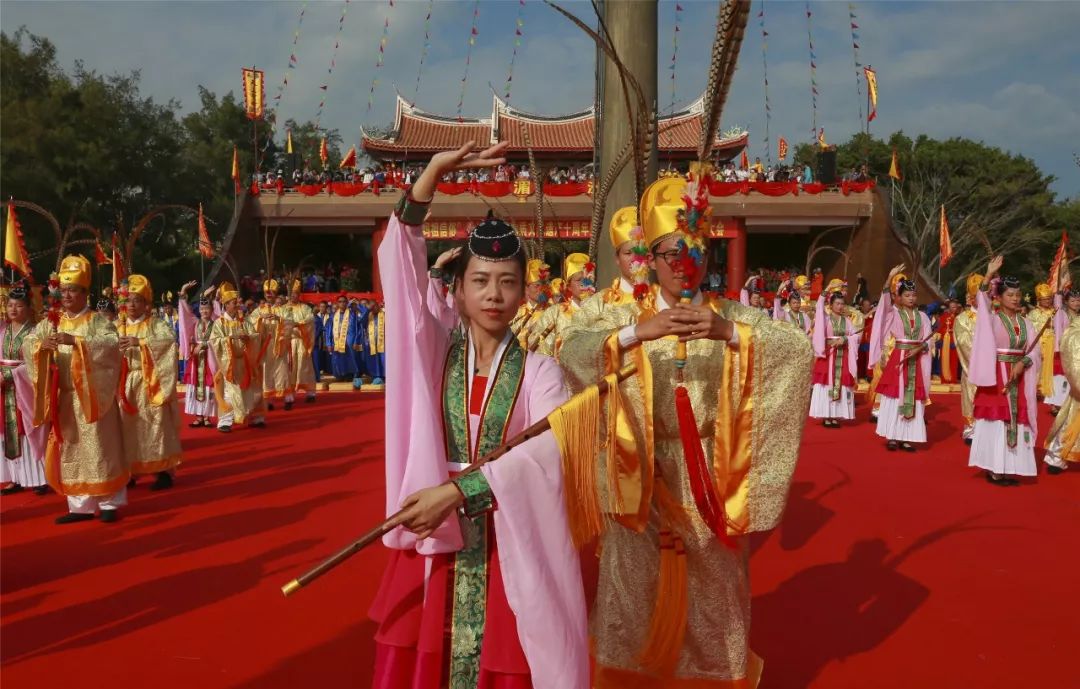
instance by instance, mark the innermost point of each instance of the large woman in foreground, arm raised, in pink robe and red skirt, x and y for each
(491, 598)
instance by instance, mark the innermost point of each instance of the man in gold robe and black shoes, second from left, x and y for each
(150, 411)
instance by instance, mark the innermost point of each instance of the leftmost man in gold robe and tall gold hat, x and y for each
(85, 458)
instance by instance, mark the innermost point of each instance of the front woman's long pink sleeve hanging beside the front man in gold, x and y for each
(541, 566)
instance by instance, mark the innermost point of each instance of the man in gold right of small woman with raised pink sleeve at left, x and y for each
(237, 347)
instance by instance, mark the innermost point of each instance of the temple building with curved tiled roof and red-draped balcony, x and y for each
(844, 228)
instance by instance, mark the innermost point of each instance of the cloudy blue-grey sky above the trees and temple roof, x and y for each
(1004, 73)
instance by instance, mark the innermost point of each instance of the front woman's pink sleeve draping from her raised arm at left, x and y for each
(416, 347)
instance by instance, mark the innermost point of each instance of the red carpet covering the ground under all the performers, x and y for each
(892, 571)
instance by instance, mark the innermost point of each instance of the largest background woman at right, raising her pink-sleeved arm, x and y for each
(1005, 370)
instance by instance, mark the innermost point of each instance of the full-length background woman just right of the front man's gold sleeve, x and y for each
(836, 348)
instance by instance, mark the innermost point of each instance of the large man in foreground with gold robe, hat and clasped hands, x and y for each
(698, 452)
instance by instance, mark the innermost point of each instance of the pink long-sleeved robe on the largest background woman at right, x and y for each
(990, 337)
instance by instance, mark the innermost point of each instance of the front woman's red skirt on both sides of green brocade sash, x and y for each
(414, 630)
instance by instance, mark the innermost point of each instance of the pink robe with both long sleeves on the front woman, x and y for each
(539, 565)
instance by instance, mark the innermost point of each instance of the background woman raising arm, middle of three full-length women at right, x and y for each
(906, 382)
